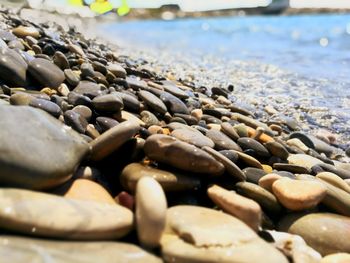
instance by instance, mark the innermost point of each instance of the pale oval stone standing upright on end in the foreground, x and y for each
(151, 208)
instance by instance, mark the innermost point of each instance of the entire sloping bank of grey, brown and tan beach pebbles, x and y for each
(105, 160)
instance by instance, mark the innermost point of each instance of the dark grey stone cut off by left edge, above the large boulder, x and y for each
(13, 68)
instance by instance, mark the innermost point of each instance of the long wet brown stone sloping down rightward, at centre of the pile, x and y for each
(169, 150)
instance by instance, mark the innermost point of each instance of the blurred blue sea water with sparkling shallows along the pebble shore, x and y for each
(310, 54)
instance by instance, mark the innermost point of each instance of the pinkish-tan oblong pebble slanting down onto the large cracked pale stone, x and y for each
(239, 206)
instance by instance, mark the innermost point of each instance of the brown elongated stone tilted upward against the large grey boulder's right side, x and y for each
(112, 139)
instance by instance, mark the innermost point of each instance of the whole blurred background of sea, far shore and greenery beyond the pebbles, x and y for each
(295, 53)
